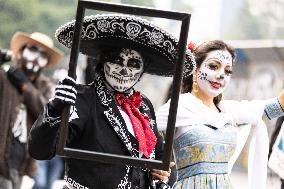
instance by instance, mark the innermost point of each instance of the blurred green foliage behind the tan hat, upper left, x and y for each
(33, 15)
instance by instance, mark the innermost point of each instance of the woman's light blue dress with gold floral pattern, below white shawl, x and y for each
(202, 156)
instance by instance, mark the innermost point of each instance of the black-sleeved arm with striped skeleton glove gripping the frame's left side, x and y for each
(44, 133)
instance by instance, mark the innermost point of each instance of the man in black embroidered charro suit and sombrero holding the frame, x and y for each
(109, 115)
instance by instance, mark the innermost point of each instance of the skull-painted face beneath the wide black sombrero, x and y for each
(123, 72)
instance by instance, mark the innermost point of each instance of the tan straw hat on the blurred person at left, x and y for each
(21, 39)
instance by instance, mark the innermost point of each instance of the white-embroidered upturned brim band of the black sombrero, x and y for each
(127, 27)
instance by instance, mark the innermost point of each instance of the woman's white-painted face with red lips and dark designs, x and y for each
(215, 72)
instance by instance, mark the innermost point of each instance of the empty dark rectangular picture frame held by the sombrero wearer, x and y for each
(62, 150)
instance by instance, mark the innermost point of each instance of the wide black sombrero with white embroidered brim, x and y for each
(127, 31)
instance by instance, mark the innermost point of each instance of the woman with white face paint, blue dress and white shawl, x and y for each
(210, 131)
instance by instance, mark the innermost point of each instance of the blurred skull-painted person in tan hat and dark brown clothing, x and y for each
(23, 91)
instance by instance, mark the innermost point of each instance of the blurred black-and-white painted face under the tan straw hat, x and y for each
(34, 58)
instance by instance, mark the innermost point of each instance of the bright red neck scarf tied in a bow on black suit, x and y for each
(140, 122)
